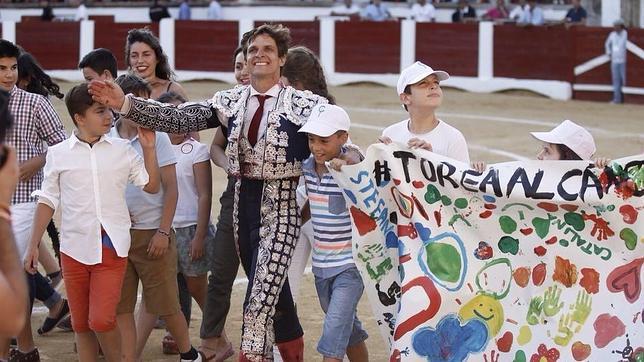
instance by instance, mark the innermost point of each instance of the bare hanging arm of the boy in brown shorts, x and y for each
(161, 240)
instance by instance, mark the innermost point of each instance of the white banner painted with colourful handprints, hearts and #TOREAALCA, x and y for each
(528, 261)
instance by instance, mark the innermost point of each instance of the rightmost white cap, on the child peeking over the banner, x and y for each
(571, 135)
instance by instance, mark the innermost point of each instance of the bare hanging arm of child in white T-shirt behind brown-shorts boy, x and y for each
(203, 181)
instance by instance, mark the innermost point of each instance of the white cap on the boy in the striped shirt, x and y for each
(325, 120)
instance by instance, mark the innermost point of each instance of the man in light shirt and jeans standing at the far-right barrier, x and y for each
(616, 49)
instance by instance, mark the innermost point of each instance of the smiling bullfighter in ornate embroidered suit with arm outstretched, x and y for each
(265, 154)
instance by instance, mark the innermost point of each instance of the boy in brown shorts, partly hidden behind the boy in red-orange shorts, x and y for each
(153, 253)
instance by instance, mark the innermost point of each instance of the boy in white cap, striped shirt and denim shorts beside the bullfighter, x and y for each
(337, 280)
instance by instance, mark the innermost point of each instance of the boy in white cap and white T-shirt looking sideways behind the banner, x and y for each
(420, 93)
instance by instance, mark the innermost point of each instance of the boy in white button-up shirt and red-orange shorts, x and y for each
(86, 176)
